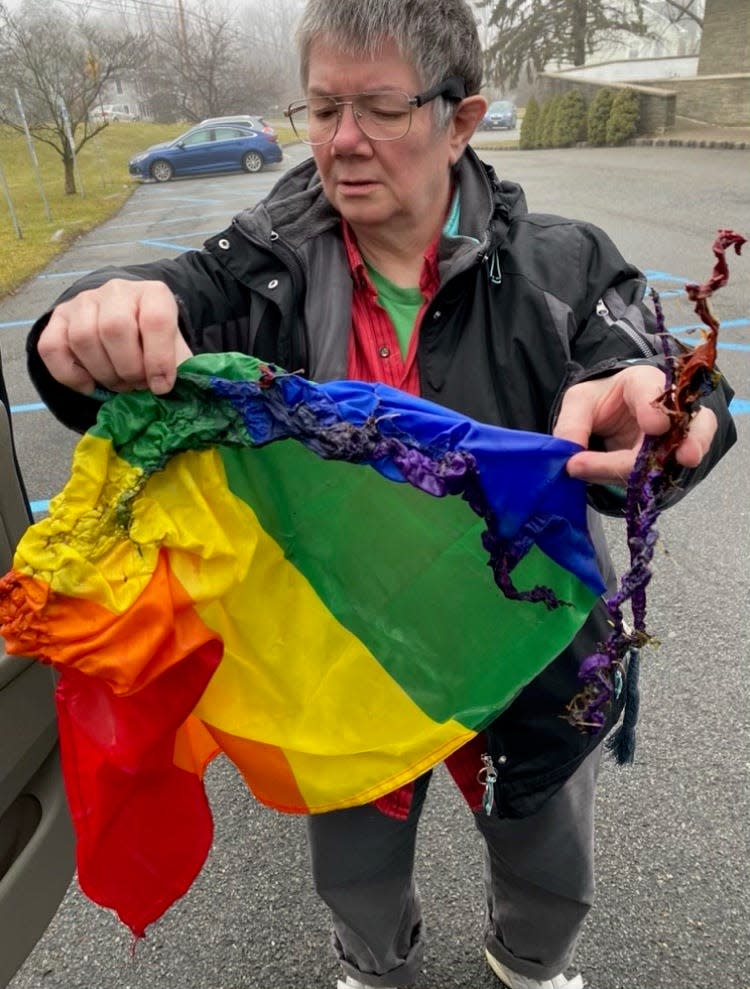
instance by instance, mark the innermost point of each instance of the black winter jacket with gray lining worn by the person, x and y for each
(527, 305)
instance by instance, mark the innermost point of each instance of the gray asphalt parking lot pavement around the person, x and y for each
(672, 839)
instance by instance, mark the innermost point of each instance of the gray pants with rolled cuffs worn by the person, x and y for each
(538, 876)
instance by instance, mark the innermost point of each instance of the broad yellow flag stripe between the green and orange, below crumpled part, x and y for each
(289, 668)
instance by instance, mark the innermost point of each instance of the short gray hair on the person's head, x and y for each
(438, 37)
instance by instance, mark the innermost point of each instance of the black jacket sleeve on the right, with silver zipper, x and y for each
(614, 329)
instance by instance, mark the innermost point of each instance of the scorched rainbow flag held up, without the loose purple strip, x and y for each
(295, 575)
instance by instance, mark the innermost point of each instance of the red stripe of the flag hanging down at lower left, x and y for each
(143, 824)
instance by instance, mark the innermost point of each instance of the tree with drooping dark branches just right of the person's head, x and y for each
(527, 34)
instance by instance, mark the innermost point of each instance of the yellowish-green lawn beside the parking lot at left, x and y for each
(103, 165)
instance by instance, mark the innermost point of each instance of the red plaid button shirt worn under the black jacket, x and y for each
(375, 355)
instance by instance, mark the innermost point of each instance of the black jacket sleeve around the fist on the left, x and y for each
(209, 302)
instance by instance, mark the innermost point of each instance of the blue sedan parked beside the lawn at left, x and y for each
(207, 148)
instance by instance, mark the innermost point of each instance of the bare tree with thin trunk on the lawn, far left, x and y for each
(59, 65)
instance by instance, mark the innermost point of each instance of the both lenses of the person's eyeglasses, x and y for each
(380, 116)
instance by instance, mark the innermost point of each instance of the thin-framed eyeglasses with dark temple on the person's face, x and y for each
(380, 115)
